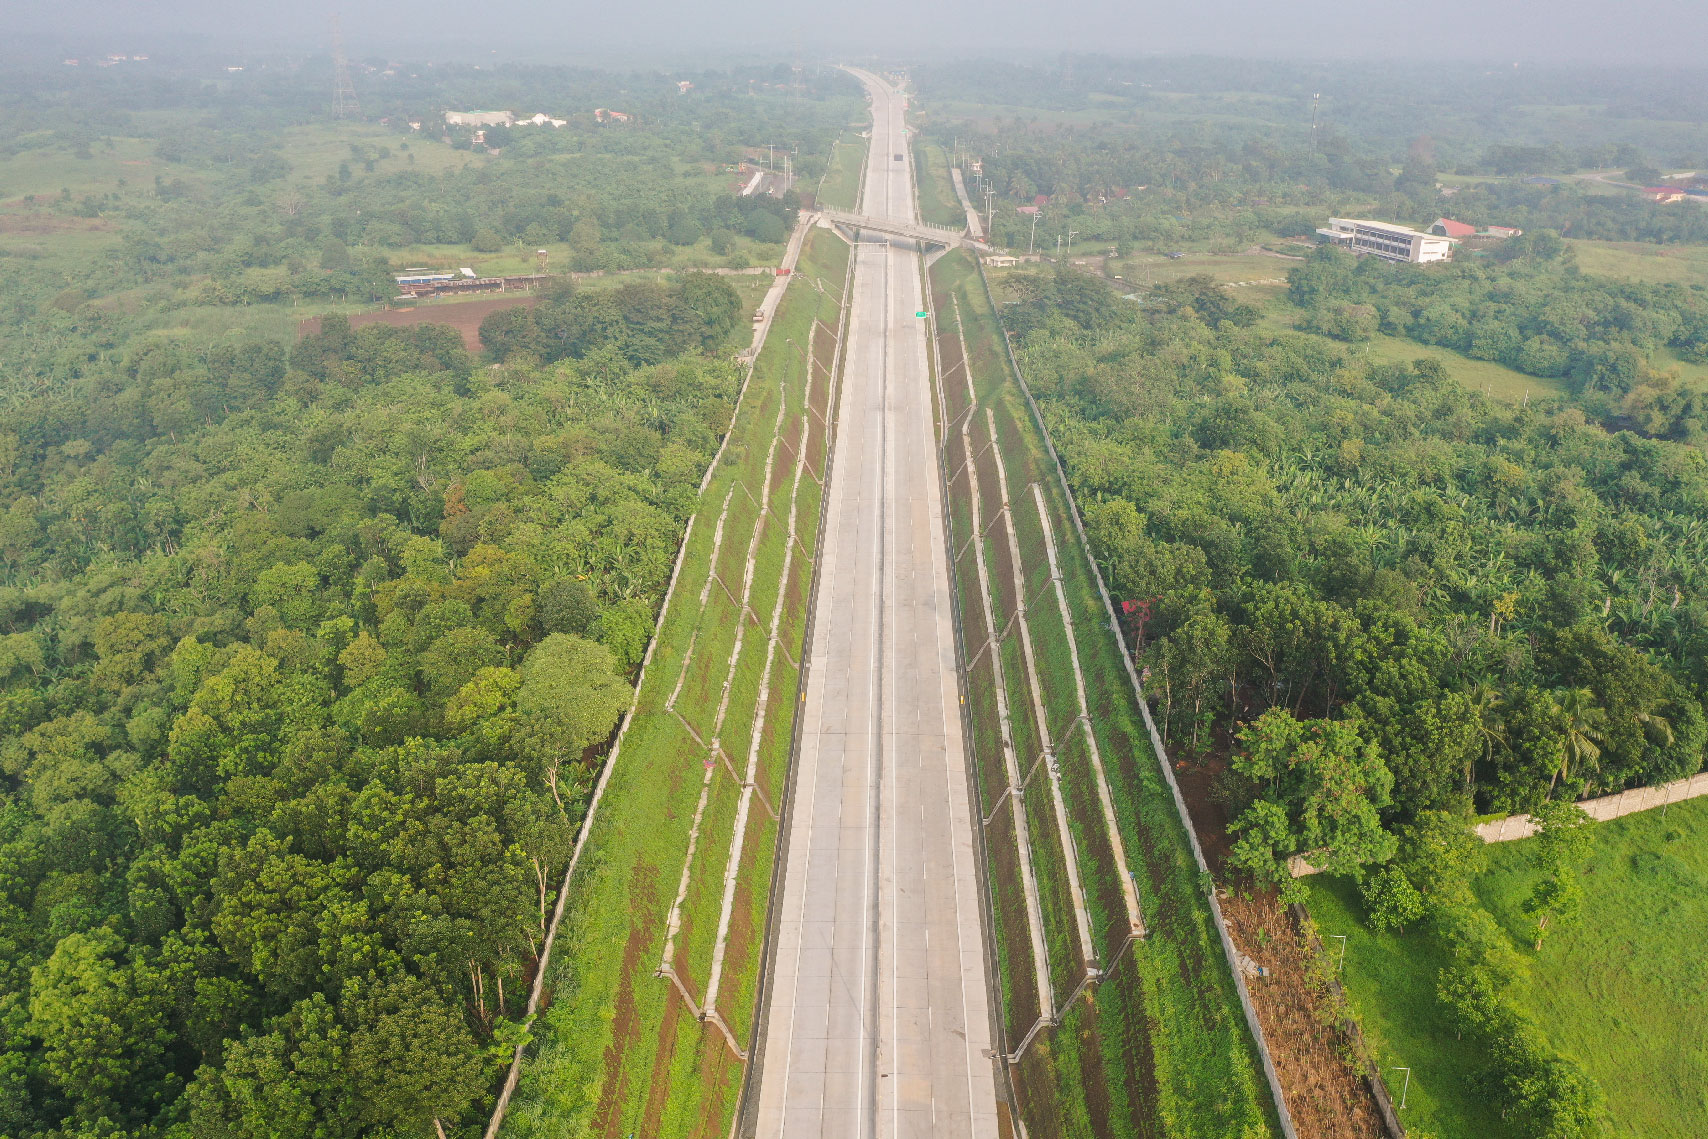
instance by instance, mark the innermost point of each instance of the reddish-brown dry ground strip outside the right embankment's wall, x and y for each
(1323, 1092)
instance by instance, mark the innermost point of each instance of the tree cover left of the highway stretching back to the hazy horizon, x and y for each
(312, 650)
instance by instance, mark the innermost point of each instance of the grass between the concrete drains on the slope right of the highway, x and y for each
(1161, 1046)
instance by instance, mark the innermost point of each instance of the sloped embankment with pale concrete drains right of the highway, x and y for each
(1120, 1012)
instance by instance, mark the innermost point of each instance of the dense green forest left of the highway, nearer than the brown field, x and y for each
(300, 716)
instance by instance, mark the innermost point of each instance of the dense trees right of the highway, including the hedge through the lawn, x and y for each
(1391, 605)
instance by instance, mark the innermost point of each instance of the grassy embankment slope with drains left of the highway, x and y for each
(619, 1051)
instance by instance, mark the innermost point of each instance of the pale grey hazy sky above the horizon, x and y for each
(1600, 32)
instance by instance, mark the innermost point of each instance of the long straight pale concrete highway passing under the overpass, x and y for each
(879, 1020)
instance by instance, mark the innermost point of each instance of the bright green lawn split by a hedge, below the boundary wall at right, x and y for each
(1622, 991)
